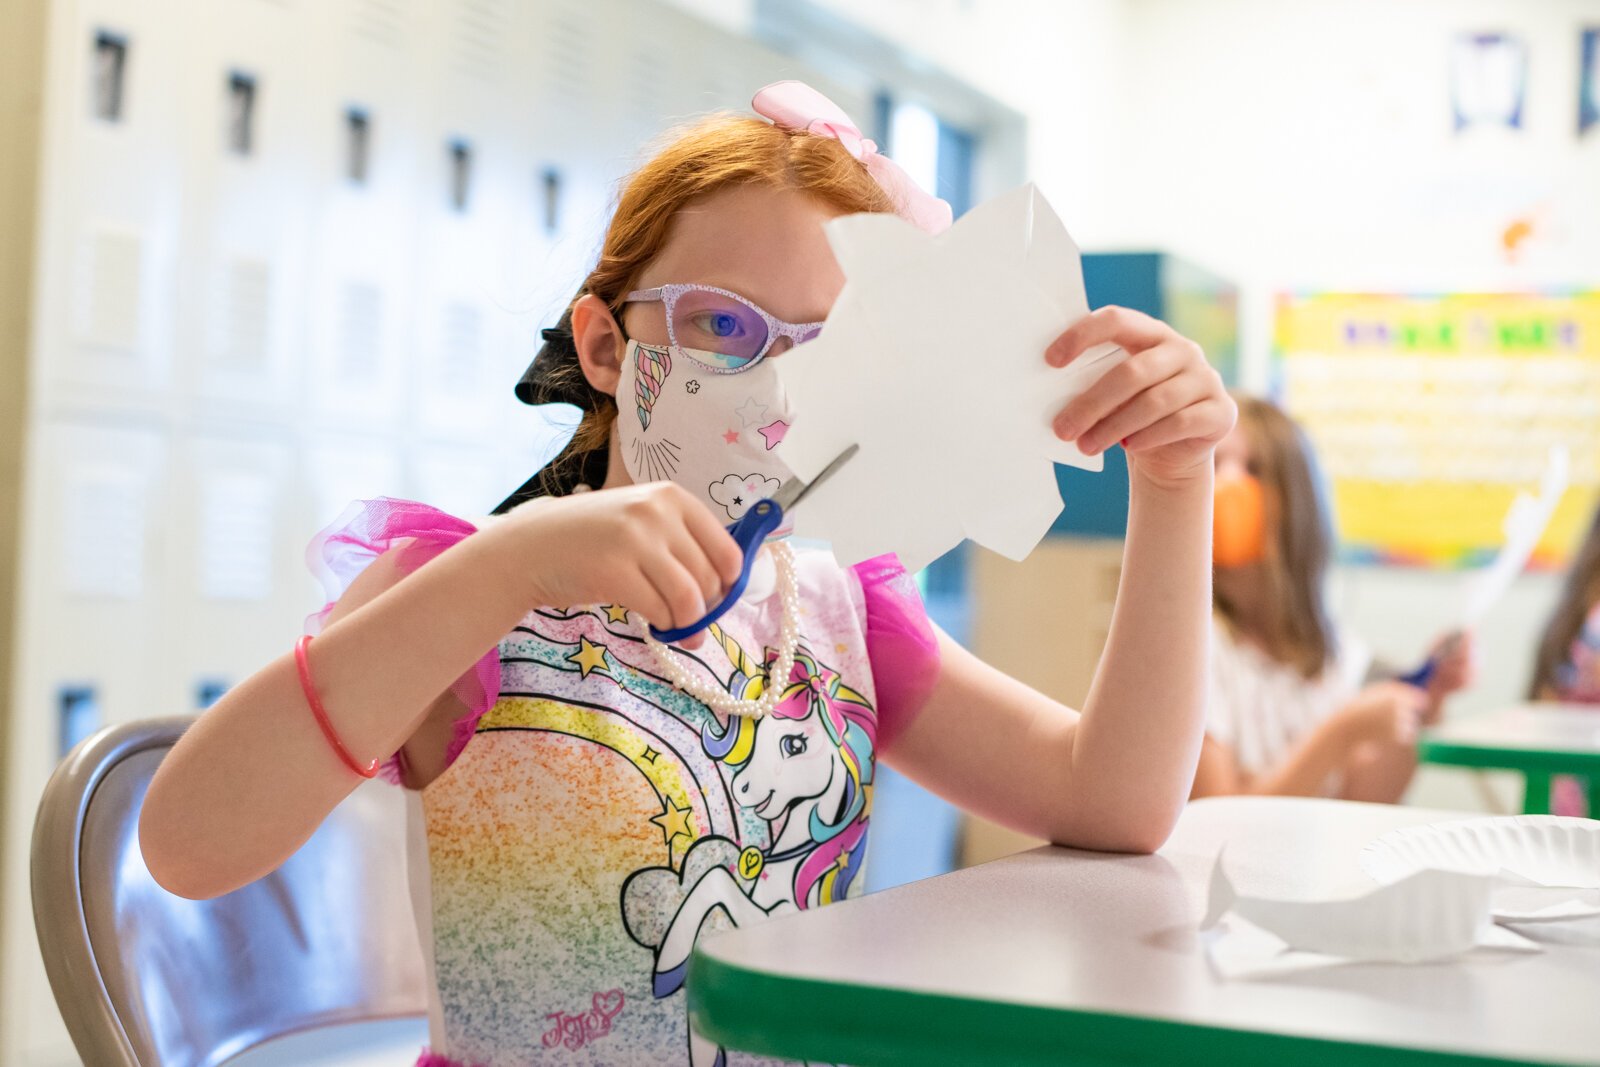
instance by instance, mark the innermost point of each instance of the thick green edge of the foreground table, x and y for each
(842, 1023)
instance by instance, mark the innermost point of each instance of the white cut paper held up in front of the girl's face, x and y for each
(934, 362)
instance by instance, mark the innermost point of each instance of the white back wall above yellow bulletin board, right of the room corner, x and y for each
(1311, 145)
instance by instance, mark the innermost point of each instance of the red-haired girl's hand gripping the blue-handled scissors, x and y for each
(649, 548)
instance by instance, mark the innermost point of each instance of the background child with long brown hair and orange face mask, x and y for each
(1290, 711)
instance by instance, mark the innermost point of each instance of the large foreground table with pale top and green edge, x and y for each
(1062, 956)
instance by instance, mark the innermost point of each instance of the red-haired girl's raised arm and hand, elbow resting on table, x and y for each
(1116, 775)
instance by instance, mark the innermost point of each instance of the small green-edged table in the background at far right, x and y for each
(1537, 740)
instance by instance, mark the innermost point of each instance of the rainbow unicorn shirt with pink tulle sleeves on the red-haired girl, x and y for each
(596, 820)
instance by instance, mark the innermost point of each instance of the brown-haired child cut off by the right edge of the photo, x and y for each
(1569, 661)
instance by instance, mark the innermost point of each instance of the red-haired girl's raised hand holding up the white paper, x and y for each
(1166, 404)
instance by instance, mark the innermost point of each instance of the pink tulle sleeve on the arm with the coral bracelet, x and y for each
(418, 533)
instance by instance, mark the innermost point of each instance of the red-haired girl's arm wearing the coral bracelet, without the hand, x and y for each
(254, 778)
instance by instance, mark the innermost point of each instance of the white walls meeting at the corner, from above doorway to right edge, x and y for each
(1284, 145)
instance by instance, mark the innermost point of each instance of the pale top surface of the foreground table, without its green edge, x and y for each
(1098, 933)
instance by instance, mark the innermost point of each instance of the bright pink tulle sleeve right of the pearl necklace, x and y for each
(902, 645)
